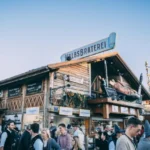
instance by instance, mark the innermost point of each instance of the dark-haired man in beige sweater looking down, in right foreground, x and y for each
(126, 142)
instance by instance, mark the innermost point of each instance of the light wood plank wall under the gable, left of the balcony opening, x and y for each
(79, 71)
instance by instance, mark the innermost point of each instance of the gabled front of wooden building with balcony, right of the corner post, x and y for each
(85, 85)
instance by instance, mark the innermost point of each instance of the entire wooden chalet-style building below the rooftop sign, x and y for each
(72, 91)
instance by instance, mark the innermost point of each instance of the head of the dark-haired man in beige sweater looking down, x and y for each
(134, 126)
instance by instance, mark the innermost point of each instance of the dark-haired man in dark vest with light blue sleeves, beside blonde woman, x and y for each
(36, 142)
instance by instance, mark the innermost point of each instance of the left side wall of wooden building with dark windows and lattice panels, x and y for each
(23, 92)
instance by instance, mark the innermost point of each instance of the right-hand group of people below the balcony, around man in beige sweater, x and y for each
(135, 137)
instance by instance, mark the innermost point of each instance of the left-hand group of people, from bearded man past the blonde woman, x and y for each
(48, 139)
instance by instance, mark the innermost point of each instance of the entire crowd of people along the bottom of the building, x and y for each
(135, 137)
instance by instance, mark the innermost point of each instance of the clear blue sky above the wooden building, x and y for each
(34, 33)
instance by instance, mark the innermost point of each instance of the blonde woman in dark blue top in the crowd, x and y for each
(49, 143)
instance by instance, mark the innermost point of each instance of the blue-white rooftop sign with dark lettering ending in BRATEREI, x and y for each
(91, 49)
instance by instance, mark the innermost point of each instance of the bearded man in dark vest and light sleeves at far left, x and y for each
(8, 138)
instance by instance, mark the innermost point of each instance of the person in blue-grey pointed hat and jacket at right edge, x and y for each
(144, 143)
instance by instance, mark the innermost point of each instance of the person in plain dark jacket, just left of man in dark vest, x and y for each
(25, 139)
